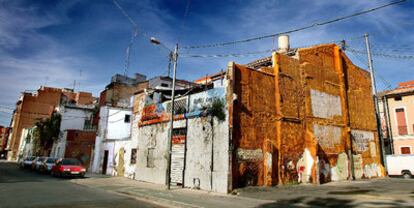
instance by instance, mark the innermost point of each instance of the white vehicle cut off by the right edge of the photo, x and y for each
(400, 165)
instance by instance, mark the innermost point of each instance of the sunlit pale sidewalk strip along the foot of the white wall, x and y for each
(176, 197)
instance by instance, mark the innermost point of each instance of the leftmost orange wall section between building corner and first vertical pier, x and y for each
(253, 124)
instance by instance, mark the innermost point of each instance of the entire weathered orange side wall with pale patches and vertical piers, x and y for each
(299, 123)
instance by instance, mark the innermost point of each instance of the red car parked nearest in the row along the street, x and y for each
(68, 167)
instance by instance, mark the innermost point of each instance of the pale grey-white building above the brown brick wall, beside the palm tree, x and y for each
(73, 117)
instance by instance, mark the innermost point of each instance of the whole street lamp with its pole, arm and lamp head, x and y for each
(173, 57)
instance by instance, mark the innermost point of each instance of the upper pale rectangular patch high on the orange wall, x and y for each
(325, 105)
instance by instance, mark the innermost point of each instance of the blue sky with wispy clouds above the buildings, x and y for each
(56, 42)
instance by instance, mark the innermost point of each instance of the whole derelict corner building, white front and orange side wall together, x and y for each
(306, 116)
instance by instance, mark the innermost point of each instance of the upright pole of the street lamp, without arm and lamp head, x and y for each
(174, 58)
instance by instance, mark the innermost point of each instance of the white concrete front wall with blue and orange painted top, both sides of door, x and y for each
(207, 143)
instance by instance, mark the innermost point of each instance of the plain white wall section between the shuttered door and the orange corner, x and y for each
(207, 158)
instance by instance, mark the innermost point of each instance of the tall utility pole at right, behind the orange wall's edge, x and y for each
(374, 92)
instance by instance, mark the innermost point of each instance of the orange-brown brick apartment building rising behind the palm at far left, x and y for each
(31, 107)
